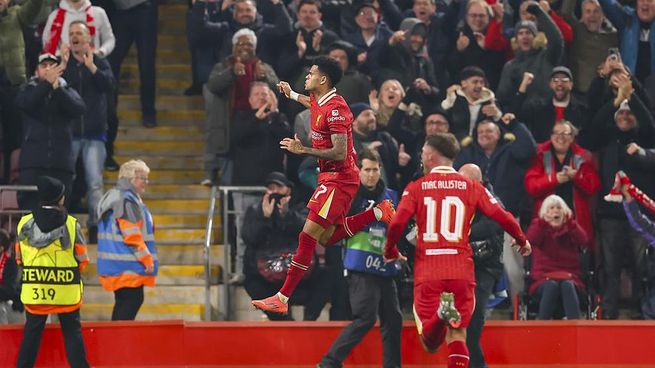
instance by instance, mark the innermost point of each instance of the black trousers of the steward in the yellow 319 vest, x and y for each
(70, 327)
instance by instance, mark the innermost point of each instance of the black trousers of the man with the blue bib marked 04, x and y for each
(370, 296)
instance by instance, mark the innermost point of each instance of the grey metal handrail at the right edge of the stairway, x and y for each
(225, 191)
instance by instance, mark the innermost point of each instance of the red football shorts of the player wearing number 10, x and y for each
(428, 294)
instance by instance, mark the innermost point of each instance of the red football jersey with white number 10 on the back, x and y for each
(444, 203)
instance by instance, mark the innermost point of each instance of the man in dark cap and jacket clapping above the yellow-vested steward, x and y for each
(48, 107)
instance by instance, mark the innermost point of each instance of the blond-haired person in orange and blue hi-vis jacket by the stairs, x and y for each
(127, 256)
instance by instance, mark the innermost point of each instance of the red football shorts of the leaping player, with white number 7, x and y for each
(332, 198)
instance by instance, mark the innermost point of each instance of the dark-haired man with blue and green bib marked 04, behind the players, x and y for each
(371, 284)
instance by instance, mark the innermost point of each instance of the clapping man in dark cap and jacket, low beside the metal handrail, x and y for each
(270, 231)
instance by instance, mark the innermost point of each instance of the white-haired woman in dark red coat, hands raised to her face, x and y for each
(556, 239)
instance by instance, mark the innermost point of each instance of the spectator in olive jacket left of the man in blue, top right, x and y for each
(593, 35)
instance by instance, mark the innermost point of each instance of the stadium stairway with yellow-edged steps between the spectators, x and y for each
(179, 204)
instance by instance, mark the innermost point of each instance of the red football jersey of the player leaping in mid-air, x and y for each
(331, 115)
